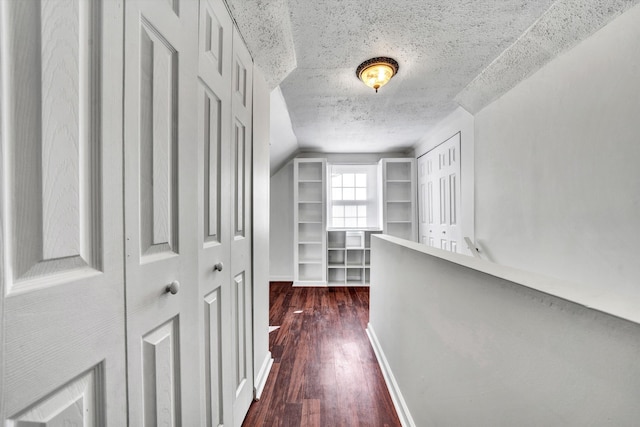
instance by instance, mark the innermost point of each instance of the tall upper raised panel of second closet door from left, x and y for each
(158, 144)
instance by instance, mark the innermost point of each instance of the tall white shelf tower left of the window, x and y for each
(309, 220)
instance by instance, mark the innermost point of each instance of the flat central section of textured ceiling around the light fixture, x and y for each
(441, 47)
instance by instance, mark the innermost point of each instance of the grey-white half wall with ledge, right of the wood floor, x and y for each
(471, 343)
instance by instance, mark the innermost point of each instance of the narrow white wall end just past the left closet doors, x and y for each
(261, 355)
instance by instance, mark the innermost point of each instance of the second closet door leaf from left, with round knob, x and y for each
(160, 123)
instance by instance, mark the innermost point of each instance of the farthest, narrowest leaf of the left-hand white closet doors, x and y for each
(241, 279)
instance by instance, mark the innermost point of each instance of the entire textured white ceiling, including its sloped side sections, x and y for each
(450, 52)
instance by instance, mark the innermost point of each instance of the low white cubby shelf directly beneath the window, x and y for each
(349, 256)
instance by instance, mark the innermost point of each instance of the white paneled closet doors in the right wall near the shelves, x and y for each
(439, 195)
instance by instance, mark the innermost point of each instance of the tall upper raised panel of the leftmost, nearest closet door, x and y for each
(55, 216)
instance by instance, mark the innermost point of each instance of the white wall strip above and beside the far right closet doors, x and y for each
(458, 121)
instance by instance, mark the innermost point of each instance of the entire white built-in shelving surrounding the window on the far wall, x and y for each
(341, 257)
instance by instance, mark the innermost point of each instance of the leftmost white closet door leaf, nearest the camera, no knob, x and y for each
(62, 360)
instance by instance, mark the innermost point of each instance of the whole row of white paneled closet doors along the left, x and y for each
(125, 190)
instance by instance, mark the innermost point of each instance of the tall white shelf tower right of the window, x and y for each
(399, 198)
